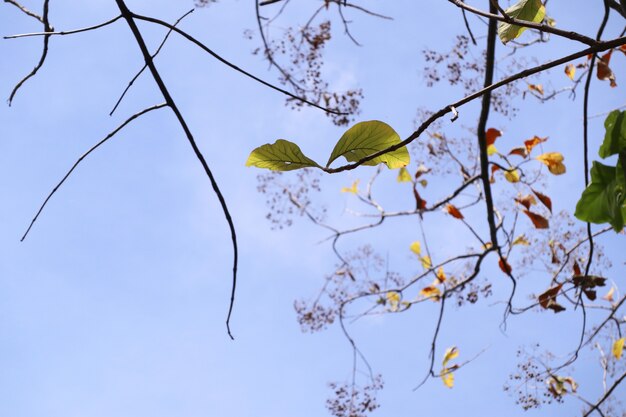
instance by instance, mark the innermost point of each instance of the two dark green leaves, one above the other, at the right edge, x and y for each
(604, 200)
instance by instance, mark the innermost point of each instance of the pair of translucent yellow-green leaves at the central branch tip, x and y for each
(358, 142)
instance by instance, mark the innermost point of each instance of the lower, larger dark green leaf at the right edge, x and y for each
(603, 200)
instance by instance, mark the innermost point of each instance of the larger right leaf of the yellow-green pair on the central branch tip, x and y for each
(366, 138)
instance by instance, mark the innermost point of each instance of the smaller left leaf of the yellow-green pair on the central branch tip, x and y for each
(282, 155)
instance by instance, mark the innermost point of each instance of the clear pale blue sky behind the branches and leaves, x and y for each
(115, 304)
